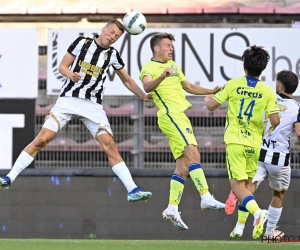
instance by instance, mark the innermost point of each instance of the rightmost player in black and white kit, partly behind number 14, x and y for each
(274, 161)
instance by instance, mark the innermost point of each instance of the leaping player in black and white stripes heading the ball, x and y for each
(85, 66)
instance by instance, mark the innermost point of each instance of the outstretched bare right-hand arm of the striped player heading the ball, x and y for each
(130, 84)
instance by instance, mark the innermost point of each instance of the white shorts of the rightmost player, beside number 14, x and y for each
(279, 176)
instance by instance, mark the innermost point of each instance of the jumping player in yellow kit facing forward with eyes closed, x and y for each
(163, 78)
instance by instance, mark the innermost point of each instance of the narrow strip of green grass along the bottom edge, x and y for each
(47, 244)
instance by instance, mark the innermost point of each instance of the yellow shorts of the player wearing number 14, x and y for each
(241, 161)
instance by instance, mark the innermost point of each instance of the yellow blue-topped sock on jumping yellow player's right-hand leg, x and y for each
(198, 177)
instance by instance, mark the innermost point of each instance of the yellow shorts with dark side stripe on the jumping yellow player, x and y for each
(178, 129)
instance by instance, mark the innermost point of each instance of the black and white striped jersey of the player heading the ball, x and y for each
(92, 62)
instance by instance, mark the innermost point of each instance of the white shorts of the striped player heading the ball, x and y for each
(68, 108)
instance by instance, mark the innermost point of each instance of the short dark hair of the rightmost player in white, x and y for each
(289, 80)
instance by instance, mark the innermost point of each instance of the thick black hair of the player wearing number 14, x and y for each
(255, 60)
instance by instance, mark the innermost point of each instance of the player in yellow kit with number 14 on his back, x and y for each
(248, 99)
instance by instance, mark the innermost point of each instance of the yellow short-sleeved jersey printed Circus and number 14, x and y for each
(248, 100)
